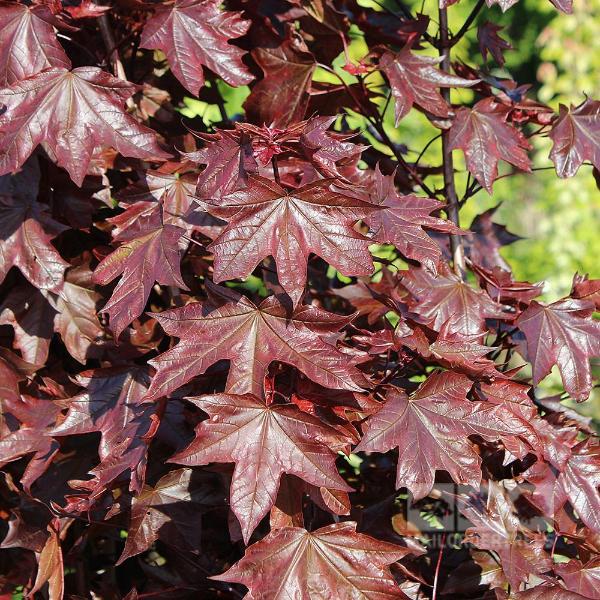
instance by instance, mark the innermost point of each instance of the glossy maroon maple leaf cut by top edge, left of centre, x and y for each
(196, 33)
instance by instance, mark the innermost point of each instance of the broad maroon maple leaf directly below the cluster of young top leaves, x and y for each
(265, 219)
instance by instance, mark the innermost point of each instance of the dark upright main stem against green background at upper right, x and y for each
(456, 246)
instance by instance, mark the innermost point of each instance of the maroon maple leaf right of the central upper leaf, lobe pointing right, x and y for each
(403, 219)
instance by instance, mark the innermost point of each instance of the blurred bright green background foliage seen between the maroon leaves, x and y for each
(558, 218)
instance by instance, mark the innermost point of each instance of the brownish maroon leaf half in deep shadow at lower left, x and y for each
(171, 511)
